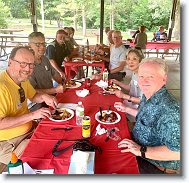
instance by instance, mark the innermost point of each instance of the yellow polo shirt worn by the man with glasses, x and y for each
(10, 105)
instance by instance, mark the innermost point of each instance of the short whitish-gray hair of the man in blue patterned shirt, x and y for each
(155, 60)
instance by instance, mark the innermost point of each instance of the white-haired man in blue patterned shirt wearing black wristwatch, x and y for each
(156, 134)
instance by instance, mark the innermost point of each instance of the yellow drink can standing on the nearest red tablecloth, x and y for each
(86, 127)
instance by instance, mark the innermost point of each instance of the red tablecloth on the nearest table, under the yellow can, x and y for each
(38, 153)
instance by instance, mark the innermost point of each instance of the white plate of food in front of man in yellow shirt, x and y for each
(61, 114)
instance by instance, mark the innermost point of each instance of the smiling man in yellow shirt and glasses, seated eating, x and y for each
(15, 119)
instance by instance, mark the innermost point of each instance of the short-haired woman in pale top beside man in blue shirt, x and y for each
(132, 99)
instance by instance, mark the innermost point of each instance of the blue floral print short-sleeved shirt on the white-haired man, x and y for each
(158, 124)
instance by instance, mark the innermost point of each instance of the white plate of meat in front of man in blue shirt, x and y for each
(107, 117)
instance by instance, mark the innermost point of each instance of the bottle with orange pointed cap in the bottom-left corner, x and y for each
(15, 166)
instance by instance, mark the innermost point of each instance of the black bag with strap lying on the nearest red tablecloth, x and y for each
(81, 145)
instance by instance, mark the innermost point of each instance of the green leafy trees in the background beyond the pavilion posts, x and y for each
(127, 14)
